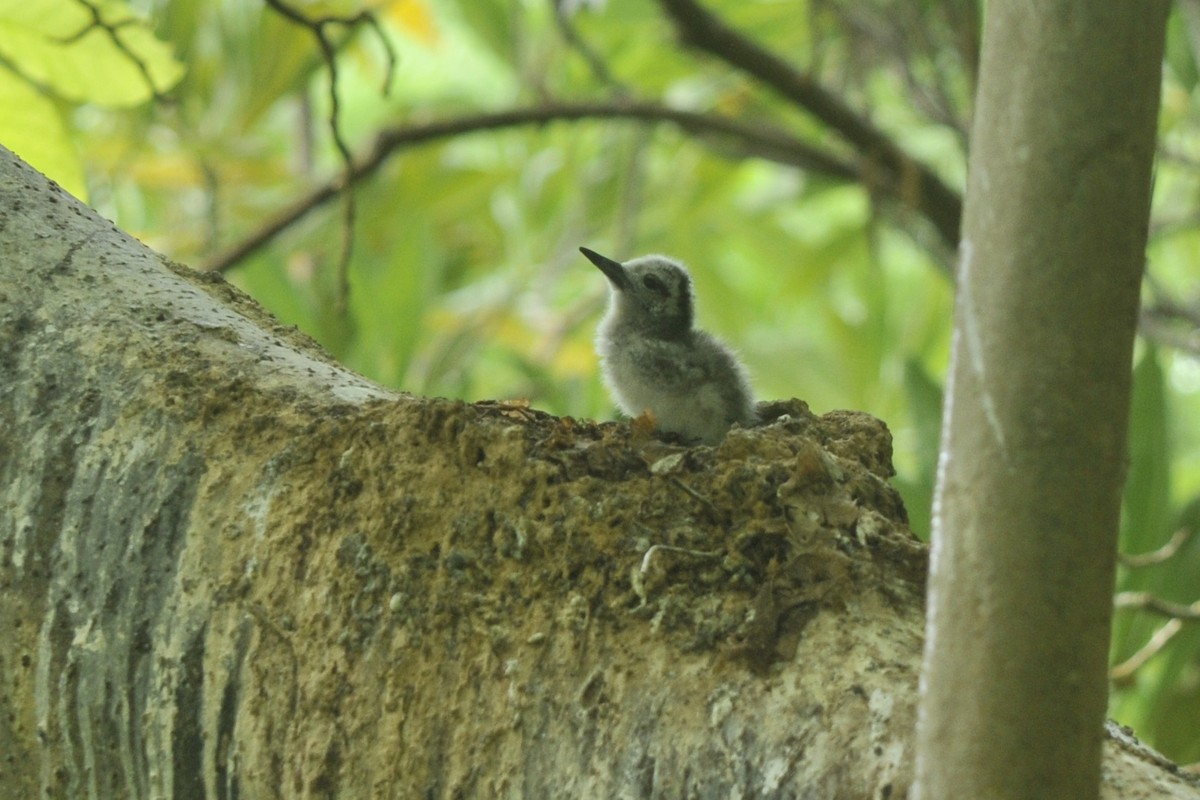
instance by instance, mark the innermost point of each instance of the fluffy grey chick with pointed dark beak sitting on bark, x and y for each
(655, 359)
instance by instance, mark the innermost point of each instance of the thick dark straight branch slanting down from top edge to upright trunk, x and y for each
(896, 173)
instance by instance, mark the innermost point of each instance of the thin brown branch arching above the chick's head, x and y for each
(759, 141)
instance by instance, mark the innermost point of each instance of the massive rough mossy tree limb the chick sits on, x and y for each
(230, 569)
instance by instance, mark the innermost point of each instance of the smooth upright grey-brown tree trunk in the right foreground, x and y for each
(1027, 512)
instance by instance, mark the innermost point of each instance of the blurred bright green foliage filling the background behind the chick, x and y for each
(466, 279)
